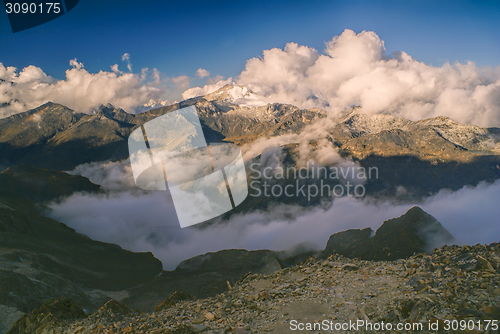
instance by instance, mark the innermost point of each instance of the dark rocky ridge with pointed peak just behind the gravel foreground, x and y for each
(206, 275)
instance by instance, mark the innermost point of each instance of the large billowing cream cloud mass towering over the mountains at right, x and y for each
(354, 70)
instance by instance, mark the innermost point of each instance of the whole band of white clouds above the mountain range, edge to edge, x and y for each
(352, 70)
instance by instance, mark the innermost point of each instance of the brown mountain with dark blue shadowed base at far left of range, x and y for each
(53, 136)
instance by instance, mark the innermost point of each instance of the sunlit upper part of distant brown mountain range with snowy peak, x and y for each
(56, 137)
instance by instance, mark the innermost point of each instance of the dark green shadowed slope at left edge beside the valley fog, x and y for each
(41, 258)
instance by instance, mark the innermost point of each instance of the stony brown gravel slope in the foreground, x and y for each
(451, 286)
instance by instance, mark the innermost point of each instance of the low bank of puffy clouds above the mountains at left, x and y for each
(84, 91)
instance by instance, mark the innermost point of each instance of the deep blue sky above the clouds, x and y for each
(178, 37)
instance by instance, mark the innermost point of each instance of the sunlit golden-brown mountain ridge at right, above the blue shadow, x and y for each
(438, 139)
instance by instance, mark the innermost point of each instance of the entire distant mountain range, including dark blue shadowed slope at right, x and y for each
(421, 157)
